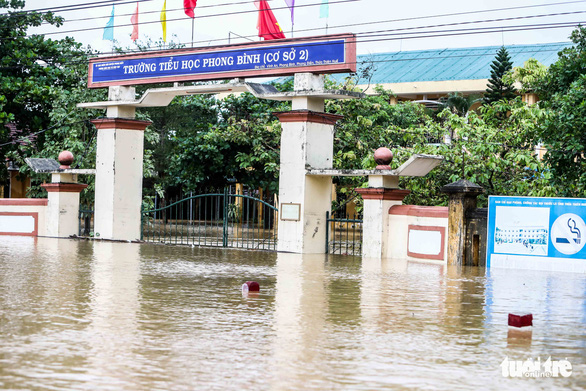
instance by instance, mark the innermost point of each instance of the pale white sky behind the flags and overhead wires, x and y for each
(381, 25)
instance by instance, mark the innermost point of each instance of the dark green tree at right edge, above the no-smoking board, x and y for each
(563, 95)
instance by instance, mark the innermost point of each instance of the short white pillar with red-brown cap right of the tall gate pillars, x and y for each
(382, 193)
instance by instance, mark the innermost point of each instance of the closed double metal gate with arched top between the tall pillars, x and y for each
(215, 219)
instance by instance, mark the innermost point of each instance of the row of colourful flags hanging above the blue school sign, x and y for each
(267, 25)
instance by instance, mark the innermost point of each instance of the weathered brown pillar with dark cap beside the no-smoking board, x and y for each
(463, 196)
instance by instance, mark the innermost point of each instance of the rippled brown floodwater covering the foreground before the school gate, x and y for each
(81, 315)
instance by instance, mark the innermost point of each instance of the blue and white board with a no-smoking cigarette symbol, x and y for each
(537, 233)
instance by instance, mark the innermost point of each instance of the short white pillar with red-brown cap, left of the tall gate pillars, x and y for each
(62, 218)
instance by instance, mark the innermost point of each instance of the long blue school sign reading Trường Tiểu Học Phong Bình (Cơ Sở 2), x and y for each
(236, 61)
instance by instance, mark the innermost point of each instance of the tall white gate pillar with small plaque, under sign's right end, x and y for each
(307, 140)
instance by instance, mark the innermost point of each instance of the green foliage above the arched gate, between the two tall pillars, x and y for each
(207, 142)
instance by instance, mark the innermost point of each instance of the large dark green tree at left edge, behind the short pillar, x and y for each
(41, 80)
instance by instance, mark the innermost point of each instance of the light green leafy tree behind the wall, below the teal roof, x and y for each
(493, 148)
